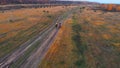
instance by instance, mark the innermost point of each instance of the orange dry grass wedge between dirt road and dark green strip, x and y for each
(61, 50)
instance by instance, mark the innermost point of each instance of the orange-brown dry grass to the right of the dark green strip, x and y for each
(102, 34)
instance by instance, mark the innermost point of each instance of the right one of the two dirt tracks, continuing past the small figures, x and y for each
(36, 57)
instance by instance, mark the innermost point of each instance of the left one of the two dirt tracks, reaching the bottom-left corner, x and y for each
(7, 60)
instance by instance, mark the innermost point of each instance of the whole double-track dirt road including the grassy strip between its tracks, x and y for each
(33, 58)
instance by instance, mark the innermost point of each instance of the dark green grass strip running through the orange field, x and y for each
(81, 46)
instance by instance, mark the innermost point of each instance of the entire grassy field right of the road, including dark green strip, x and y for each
(89, 39)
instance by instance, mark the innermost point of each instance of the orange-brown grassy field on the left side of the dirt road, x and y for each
(18, 26)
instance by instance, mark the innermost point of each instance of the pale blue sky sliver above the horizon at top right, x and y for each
(101, 1)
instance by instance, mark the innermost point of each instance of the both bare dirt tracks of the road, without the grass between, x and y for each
(46, 36)
